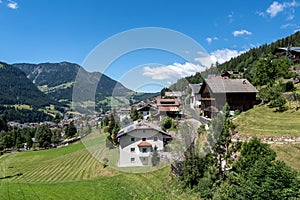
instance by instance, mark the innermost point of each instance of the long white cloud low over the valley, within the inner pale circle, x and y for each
(174, 71)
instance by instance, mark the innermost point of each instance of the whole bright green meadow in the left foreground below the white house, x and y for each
(73, 172)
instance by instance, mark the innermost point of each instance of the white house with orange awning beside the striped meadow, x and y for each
(137, 141)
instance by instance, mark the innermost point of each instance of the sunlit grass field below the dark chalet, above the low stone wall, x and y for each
(263, 121)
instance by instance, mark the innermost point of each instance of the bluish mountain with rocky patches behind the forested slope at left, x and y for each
(57, 80)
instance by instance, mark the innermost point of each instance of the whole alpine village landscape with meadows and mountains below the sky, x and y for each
(229, 132)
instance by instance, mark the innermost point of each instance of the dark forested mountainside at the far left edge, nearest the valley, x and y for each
(20, 99)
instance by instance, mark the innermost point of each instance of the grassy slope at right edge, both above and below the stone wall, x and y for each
(263, 122)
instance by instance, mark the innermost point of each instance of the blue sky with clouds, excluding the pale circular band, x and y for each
(61, 30)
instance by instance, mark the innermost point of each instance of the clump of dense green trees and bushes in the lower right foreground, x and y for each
(234, 170)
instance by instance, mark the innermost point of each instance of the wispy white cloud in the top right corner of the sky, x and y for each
(276, 8)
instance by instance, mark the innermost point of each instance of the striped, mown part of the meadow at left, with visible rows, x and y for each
(65, 164)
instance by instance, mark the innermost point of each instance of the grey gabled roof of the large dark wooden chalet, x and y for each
(219, 85)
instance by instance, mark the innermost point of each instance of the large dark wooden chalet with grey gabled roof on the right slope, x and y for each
(240, 94)
